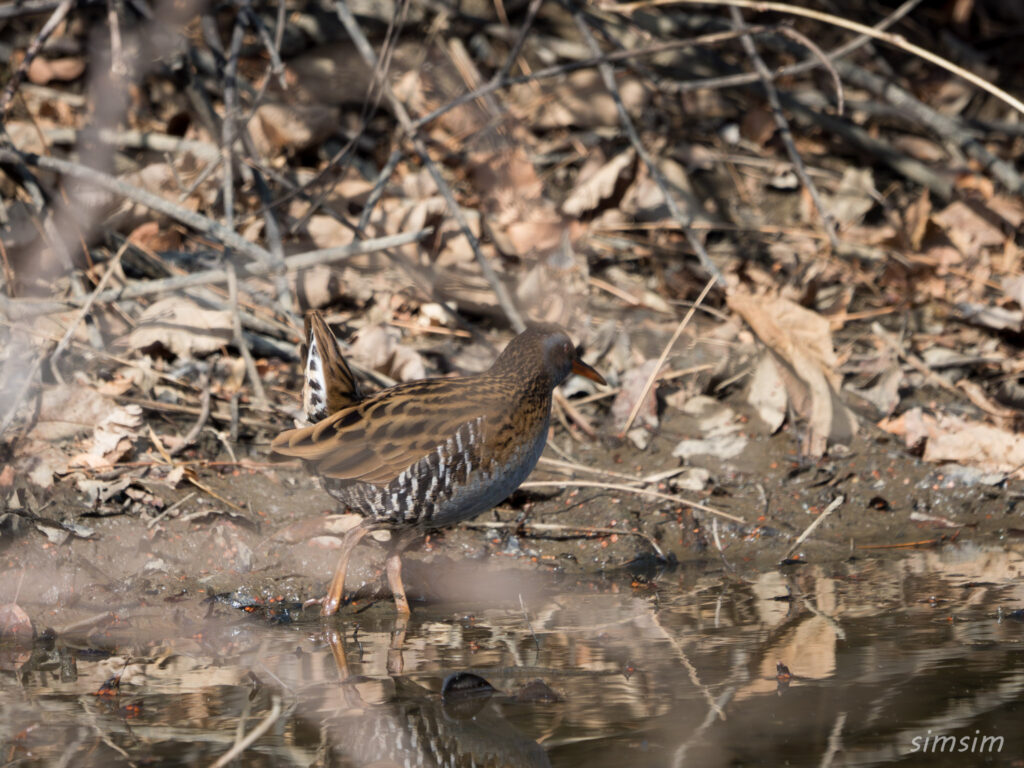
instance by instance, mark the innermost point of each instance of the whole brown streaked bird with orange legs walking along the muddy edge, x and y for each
(426, 454)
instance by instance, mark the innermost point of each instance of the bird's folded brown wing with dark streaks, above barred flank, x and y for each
(377, 440)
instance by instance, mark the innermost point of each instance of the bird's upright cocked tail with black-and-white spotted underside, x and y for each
(330, 386)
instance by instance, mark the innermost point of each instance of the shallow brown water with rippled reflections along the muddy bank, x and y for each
(670, 669)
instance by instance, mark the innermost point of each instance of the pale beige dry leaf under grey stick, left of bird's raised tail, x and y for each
(183, 327)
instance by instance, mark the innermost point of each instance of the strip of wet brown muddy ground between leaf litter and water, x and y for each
(278, 551)
